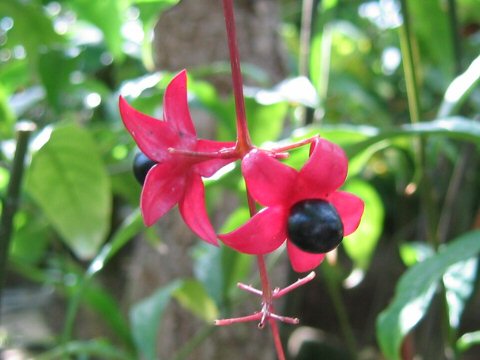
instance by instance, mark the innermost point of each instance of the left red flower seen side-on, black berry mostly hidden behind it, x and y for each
(172, 144)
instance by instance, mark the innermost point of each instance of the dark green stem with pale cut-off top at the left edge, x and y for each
(10, 205)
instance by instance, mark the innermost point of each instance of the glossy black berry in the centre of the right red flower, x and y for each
(315, 226)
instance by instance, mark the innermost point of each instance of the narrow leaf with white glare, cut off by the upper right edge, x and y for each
(459, 89)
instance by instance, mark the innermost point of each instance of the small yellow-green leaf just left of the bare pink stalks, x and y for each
(193, 297)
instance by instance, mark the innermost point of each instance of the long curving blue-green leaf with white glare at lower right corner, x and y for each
(415, 290)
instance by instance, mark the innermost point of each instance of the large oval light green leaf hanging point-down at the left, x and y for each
(69, 182)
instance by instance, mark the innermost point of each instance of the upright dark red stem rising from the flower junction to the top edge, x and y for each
(243, 136)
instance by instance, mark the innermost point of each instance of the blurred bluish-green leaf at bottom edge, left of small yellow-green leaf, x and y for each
(145, 318)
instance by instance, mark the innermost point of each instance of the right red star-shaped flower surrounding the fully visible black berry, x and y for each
(279, 187)
